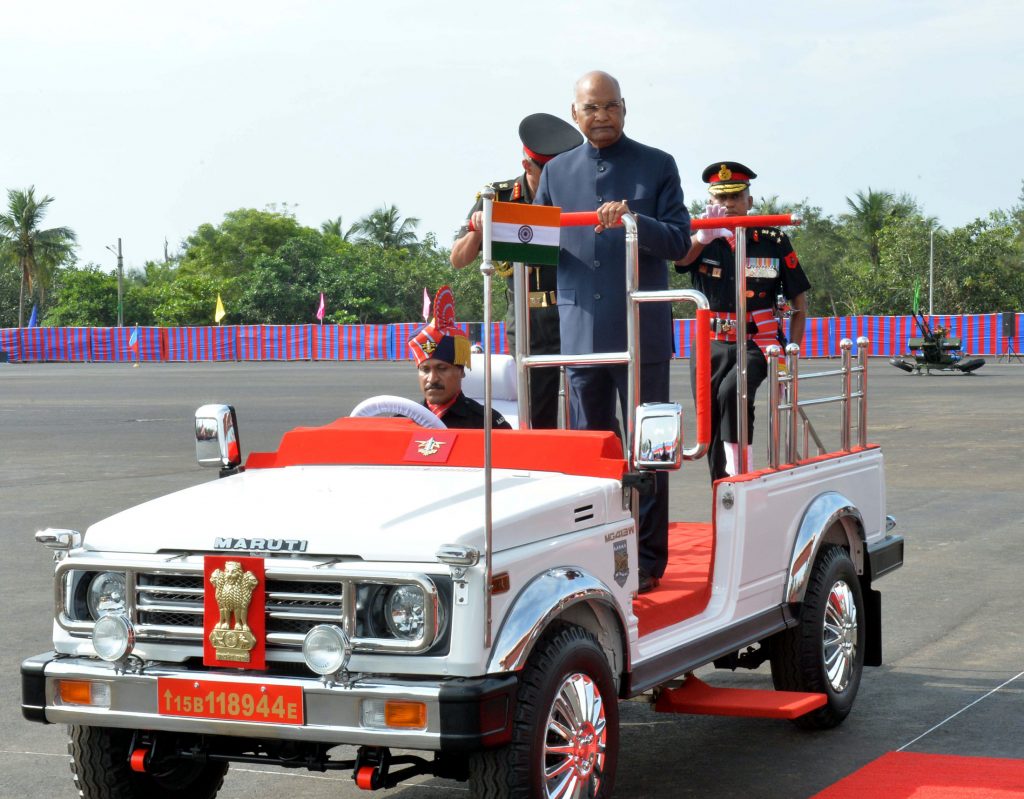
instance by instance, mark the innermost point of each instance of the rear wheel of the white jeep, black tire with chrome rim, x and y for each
(825, 653)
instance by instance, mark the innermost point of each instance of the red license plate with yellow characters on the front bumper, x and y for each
(231, 701)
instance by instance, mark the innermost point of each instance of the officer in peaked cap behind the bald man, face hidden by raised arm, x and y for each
(543, 137)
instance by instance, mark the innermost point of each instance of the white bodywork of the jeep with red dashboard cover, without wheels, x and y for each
(552, 545)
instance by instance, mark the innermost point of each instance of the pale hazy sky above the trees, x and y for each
(145, 122)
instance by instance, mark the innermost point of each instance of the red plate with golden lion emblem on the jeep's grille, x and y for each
(234, 612)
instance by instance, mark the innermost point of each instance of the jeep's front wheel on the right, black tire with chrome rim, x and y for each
(566, 734)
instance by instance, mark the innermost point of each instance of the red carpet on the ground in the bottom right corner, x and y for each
(911, 776)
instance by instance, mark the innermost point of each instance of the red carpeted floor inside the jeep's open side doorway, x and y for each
(686, 587)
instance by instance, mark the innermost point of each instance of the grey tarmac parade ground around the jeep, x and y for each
(79, 442)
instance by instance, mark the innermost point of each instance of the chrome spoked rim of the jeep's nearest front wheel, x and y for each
(575, 740)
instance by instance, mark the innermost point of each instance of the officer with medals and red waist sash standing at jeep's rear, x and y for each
(773, 271)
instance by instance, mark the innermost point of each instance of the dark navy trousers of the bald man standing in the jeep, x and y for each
(593, 392)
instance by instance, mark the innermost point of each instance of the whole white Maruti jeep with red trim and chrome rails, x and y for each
(471, 595)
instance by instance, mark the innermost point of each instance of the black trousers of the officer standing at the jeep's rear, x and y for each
(724, 423)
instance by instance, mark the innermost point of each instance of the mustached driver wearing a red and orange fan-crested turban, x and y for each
(442, 353)
